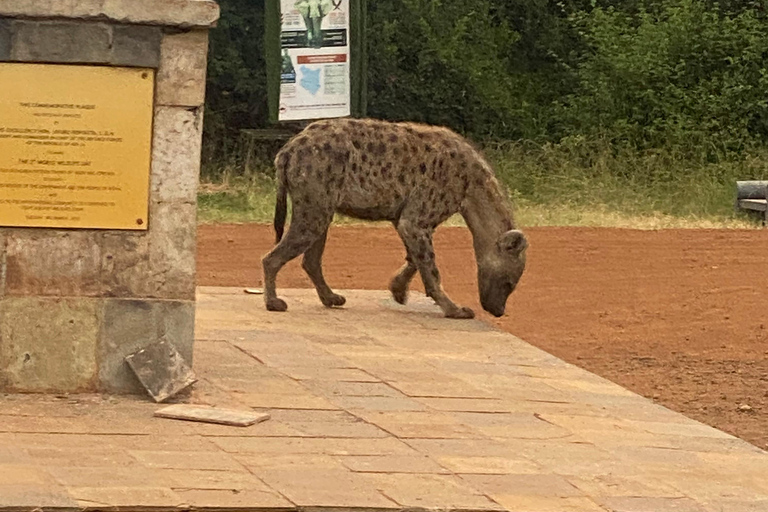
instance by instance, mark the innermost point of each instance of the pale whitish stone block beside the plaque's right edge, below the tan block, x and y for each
(178, 134)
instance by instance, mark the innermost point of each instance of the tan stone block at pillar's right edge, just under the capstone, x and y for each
(181, 76)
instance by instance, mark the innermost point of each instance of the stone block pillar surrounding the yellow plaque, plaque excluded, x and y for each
(74, 302)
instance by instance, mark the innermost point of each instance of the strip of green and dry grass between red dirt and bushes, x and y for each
(574, 184)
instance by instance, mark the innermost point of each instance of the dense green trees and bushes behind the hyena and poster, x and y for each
(567, 96)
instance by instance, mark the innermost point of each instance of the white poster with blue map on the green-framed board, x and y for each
(315, 73)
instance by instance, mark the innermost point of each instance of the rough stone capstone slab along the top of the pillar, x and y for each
(182, 13)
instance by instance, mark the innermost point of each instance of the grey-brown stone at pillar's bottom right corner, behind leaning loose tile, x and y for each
(130, 325)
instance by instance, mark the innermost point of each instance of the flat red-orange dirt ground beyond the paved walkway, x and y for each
(676, 315)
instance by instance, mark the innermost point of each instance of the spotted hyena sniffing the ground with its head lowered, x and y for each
(415, 176)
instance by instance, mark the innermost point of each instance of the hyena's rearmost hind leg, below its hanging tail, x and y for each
(308, 226)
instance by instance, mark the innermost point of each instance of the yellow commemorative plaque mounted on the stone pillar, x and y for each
(75, 146)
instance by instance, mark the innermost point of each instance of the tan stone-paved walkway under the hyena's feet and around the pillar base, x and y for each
(378, 407)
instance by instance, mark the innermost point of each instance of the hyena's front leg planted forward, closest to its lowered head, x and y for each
(418, 242)
